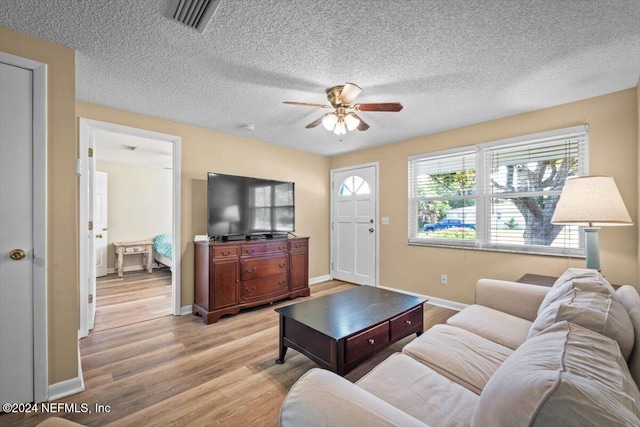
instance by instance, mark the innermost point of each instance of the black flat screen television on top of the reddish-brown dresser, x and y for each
(246, 207)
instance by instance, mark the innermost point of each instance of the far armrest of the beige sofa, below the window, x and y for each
(518, 299)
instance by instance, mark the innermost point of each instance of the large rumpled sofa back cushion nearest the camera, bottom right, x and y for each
(567, 375)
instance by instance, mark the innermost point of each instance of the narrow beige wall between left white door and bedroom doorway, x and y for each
(62, 224)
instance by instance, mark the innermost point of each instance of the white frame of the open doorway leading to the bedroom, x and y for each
(87, 129)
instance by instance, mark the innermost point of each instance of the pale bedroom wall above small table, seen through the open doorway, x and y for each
(140, 203)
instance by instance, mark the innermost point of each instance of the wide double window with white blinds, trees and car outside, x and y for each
(499, 195)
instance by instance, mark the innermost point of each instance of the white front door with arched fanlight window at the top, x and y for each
(354, 224)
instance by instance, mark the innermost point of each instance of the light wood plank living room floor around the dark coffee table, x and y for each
(178, 371)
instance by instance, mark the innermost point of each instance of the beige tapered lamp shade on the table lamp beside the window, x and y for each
(591, 201)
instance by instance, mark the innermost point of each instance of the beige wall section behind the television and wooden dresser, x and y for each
(205, 151)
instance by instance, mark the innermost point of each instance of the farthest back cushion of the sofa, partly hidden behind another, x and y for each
(584, 279)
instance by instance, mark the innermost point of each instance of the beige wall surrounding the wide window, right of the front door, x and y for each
(613, 151)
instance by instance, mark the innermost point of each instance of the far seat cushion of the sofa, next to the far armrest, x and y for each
(502, 328)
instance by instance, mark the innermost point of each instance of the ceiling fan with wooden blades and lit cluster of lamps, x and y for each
(343, 118)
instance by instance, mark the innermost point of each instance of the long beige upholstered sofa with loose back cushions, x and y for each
(522, 355)
